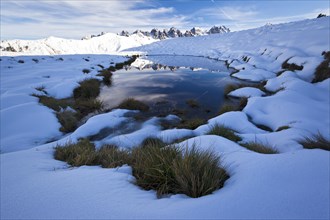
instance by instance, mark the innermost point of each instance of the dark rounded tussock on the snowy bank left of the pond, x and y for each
(89, 88)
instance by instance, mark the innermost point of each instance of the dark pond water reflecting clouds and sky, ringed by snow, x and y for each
(168, 82)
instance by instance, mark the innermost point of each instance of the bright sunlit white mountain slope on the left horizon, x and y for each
(105, 44)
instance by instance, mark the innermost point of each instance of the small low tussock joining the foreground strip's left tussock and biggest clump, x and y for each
(110, 156)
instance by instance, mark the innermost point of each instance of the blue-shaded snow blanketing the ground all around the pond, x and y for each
(293, 184)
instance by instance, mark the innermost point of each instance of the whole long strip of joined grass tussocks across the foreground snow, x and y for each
(165, 169)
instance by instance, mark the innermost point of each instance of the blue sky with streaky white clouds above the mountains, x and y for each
(74, 19)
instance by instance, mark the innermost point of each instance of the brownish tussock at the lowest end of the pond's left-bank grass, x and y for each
(68, 120)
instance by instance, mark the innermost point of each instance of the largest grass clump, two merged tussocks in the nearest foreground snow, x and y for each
(169, 170)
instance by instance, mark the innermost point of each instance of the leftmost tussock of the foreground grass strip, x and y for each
(76, 154)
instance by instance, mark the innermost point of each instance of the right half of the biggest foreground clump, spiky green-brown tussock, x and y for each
(198, 173)
